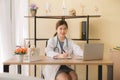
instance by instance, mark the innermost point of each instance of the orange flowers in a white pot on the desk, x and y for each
(20, 52)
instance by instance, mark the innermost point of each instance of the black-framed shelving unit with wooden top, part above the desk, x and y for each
(63, 18)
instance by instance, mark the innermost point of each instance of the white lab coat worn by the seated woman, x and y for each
(50, 71)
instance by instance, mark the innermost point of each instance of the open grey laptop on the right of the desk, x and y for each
(93, 51)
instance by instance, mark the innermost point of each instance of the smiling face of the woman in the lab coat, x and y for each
(62, 30)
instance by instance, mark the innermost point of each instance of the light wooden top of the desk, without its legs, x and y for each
(47, 60)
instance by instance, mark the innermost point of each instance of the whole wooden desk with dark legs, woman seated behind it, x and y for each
(49, 61)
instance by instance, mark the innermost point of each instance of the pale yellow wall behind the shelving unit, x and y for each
(106, 27)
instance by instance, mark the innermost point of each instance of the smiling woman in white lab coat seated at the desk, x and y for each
(60, 47)
